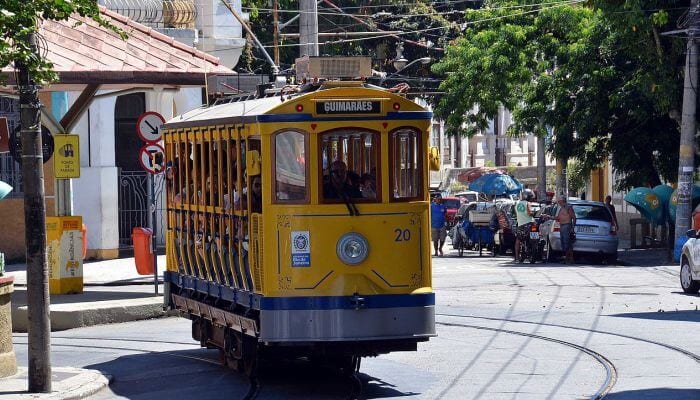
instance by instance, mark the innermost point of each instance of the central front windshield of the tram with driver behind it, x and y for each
(349, 160)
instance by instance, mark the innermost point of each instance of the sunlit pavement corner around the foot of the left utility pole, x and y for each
(85, 383)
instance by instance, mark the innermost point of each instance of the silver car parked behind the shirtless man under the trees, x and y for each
(596, 232)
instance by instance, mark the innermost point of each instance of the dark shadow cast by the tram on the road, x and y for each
(196, 375)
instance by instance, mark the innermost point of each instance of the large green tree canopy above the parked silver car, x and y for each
(600, 76)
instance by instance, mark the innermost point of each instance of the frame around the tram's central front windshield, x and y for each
(375, 153)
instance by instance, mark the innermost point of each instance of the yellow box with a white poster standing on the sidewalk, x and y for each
(64, 242)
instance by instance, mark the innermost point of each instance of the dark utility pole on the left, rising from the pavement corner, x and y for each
(39, 353)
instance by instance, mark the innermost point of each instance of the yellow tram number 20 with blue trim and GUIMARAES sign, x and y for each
(299, 223)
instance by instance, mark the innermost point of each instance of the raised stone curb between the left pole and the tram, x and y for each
(75, 315)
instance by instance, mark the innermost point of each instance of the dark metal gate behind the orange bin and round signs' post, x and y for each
(133, 205)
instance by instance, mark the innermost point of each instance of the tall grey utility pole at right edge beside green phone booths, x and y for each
(686, 156)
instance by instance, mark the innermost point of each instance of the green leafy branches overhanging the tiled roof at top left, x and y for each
(19, 18)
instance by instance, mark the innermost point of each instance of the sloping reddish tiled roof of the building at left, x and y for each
(79, 45)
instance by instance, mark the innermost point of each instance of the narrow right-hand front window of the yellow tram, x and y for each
(406, 171)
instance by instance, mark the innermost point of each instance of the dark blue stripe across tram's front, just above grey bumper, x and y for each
(347, 302)
